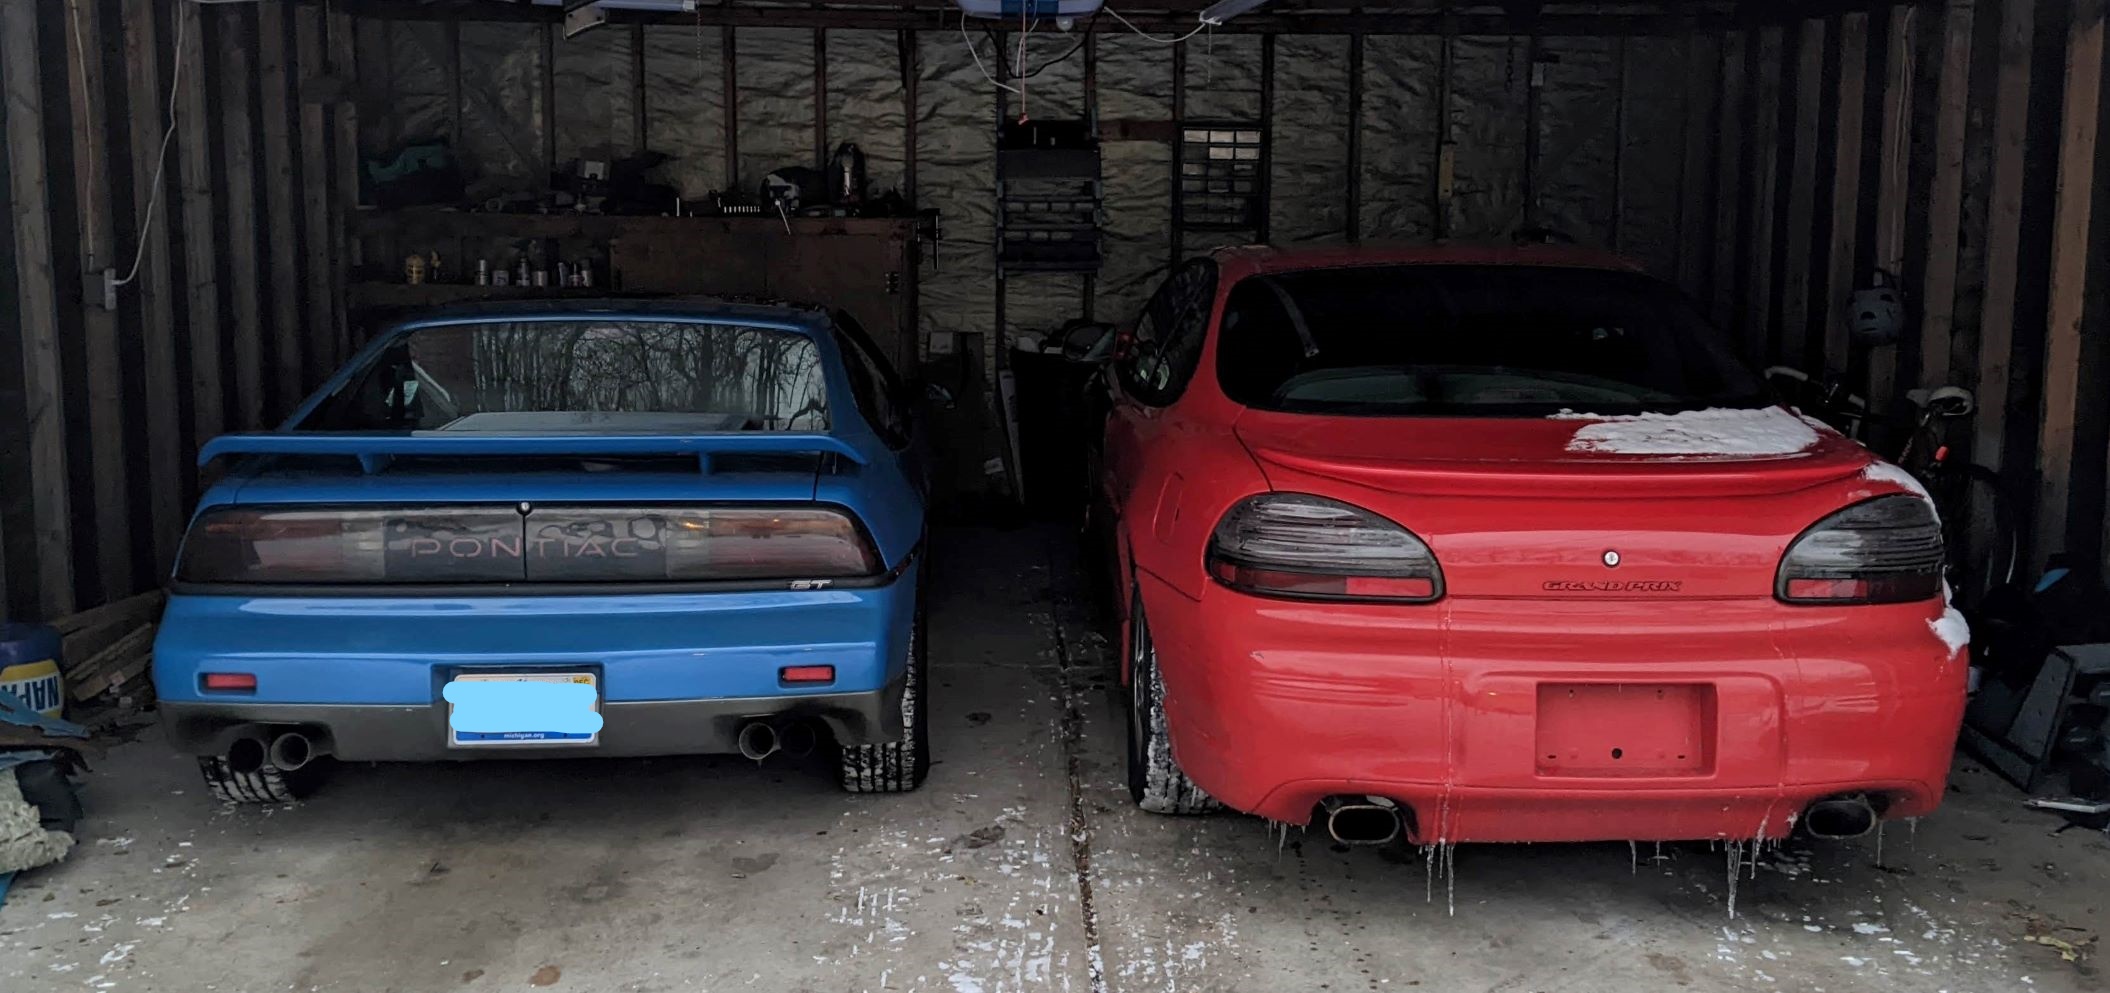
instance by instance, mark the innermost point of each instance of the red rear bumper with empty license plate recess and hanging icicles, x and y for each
(1560, 722)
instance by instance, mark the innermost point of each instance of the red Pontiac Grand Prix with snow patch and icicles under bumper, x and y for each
(1503, 545)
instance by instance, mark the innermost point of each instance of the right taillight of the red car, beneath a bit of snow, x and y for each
(1879, 551)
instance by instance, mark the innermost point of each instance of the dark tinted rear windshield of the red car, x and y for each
(1474, 340)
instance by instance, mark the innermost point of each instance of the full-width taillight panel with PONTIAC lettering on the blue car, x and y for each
(453, 545)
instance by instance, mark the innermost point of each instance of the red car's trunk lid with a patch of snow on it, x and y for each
(1577, 507)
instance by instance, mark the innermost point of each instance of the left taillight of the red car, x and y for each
(1309, 547)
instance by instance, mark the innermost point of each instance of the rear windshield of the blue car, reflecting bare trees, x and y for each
(586, 376)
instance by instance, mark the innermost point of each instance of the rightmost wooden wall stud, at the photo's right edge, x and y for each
(2069, 277)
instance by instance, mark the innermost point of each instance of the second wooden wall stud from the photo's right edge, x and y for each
(2003, 229)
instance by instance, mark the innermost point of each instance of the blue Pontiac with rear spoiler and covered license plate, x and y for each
(562, 530)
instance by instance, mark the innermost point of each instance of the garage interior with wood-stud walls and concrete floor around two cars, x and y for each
(212, 206)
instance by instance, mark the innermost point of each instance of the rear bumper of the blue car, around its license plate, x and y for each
(676, 674)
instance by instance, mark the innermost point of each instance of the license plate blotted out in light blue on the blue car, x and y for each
(510, 709)
